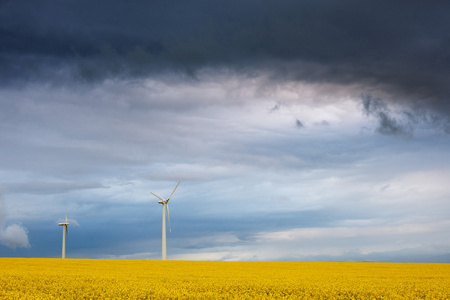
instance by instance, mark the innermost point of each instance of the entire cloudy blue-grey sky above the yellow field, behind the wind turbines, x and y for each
(300, 130)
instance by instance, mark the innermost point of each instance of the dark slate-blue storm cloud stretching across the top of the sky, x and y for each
(401, 47)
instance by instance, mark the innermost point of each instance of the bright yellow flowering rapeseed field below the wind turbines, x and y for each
(40, 278)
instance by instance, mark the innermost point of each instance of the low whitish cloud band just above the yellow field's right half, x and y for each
(341, 242)
